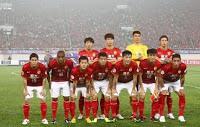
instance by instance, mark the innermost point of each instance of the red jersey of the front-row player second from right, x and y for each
(149, 70)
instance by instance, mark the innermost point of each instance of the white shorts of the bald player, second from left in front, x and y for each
(60, 88)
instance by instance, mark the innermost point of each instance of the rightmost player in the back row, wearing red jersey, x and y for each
(164, 55)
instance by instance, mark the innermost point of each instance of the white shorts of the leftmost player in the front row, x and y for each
(34, 90)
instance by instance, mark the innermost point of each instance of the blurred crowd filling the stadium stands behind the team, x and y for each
(58, 24)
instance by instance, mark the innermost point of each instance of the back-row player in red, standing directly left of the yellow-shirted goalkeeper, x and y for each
(114, 55)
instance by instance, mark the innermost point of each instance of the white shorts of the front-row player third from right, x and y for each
(120, 86)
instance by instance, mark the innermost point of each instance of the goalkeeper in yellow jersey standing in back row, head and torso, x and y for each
(138, 50)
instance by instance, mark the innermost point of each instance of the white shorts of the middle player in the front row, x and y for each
(101, 86)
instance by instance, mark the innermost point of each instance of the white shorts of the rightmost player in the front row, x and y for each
(172, 86)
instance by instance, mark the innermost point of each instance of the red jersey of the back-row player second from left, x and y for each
(112, 53)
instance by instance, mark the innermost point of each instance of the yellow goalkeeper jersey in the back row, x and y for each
(138, 50)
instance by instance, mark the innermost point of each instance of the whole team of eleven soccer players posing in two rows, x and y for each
(108, 71)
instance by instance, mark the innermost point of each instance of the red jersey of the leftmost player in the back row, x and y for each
(91, 55)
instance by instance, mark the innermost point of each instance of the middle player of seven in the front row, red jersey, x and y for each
(103, 80)
